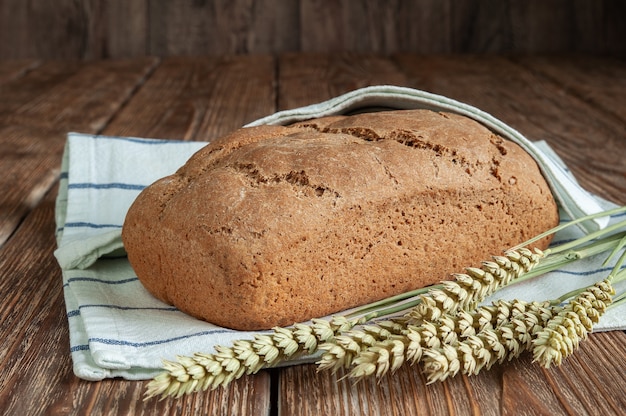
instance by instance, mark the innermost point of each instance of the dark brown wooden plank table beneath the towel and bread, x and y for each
(576, 103)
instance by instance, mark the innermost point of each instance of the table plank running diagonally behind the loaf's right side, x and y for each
(538, 108)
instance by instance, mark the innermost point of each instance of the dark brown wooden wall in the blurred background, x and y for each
(90, 29)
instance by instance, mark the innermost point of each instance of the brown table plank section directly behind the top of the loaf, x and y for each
(310, 78)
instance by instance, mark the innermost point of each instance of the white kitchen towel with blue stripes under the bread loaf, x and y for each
(117, 329)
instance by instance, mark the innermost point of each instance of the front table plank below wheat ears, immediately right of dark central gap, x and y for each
(305, 391)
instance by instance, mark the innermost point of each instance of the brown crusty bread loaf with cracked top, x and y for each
(274, 225)
